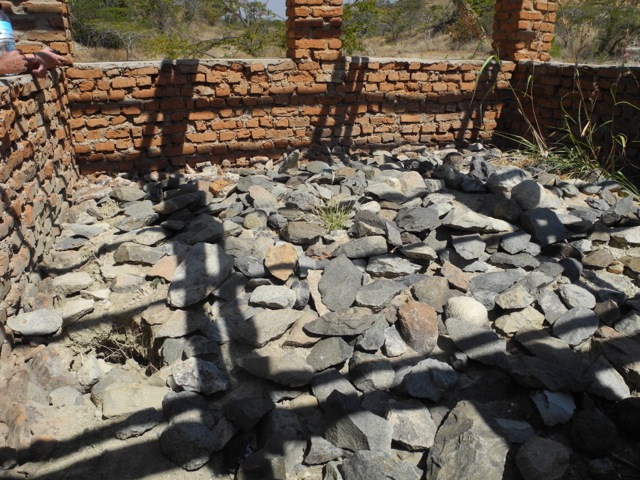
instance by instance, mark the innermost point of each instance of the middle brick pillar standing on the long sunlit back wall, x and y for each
(313, 29)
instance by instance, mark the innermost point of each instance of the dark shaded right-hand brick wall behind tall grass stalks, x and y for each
(607, 96)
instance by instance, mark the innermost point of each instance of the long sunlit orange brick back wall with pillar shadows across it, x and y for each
(141, 116)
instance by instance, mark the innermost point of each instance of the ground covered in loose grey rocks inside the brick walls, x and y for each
(405, 315)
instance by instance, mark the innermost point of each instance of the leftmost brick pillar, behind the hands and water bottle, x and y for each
(40, 23)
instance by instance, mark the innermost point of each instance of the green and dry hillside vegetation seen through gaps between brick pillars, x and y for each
(586, 30)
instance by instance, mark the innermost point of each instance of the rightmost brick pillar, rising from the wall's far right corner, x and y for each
(523, 29)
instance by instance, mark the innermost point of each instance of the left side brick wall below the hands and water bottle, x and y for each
(36, 171)
